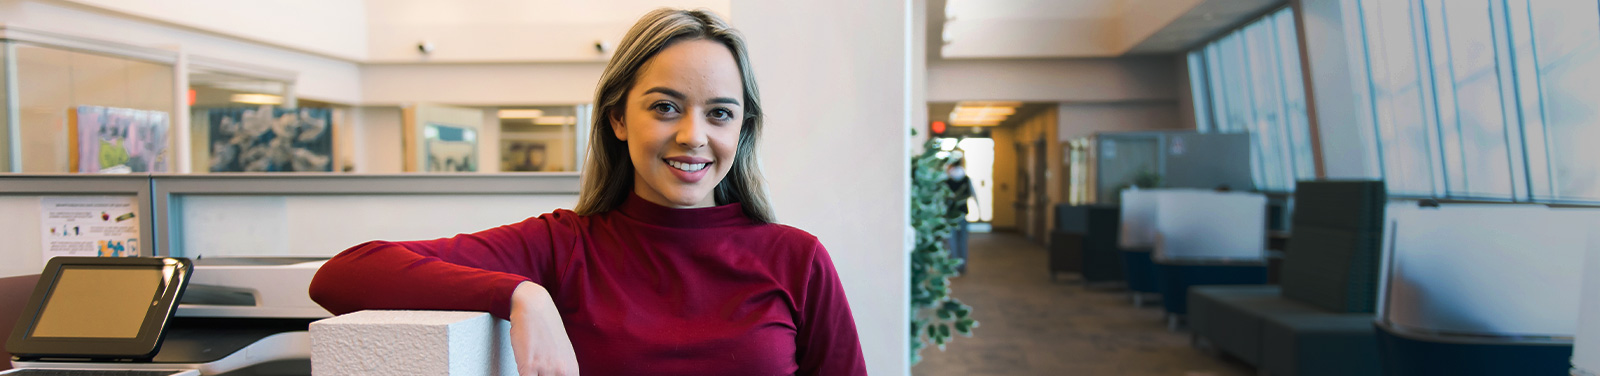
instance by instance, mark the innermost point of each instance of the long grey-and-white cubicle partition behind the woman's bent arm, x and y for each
(279, 215)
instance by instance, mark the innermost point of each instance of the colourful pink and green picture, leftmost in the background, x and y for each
(110, 140)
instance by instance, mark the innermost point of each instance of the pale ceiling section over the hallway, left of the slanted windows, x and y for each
(1009, 30)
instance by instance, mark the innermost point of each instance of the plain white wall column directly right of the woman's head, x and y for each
(836, 86)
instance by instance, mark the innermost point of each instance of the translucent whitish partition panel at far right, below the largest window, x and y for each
(1486, 270)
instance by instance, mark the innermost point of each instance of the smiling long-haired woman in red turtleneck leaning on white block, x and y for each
(671, 263)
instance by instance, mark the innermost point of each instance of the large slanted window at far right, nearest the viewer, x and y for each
(1487, 100)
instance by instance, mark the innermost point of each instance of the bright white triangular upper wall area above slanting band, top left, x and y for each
(334, 28)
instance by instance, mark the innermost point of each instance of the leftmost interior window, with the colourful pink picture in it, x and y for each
(54, 84)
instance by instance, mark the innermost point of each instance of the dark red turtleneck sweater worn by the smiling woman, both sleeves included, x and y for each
(642, 290)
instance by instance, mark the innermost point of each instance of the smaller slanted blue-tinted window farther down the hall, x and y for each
(1250, 82)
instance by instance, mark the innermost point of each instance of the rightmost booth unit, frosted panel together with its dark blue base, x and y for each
(1482, 289)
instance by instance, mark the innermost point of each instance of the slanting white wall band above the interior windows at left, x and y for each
(321, 78)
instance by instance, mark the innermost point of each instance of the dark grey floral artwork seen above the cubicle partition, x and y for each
(266, 138)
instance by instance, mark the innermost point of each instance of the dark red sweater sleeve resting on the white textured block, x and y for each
(465, 273)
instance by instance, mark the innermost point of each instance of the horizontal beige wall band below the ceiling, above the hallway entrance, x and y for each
(1054, 81)
